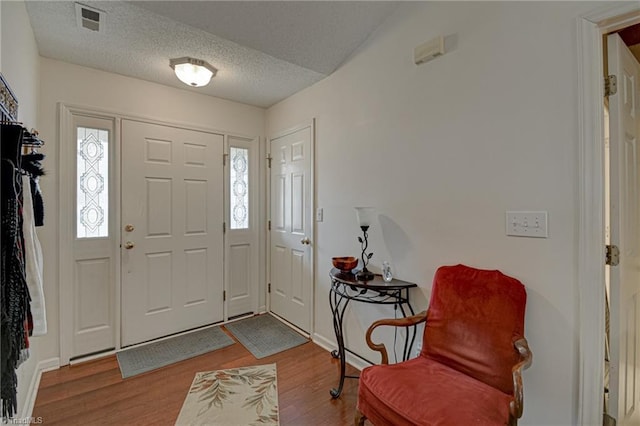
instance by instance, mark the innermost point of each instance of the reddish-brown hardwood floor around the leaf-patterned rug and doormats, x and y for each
(94, 393)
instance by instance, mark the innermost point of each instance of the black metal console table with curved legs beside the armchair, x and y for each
(345, 288)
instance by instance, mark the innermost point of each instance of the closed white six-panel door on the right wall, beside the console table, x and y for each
(291, 215)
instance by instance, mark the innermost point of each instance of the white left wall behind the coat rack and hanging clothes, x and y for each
(19, 63)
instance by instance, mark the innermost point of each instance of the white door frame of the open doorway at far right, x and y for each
(591, 208)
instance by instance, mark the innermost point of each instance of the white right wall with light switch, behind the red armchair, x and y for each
(442, 150)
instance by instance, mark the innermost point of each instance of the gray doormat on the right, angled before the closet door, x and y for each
(263, 335)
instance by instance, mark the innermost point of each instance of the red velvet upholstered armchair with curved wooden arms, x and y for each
(473, 354)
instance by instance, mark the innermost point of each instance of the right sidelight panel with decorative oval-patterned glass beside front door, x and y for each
(242, 236)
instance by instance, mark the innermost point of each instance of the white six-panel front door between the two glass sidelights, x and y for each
(172, 237)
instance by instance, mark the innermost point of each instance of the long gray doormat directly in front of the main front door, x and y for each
(164, 352)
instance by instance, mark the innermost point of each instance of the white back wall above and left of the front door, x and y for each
(80, 86)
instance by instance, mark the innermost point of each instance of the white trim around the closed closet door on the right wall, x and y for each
(314, 253)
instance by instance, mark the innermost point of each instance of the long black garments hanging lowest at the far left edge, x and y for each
(14, 294)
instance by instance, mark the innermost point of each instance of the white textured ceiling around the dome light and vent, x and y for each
(264, 51)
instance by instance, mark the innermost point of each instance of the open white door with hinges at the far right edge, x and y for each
(624, 386)
